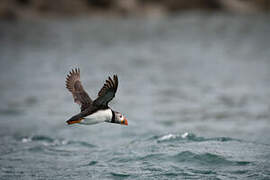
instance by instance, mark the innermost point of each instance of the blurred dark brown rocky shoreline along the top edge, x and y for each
(14, 9)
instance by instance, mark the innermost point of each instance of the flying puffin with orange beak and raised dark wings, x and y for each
(97, 111)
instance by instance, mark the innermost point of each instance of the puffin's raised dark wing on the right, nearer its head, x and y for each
(107, 92)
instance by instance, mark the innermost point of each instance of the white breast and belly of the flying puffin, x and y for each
(98, 117)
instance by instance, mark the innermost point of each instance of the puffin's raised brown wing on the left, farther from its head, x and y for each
(74, 85)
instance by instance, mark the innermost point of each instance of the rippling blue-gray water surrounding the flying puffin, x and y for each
(195, 89)
